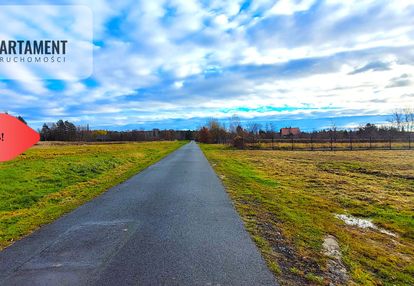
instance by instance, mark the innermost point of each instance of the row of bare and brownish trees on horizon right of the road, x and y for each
(400, 127)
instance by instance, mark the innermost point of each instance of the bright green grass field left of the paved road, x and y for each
(49, 180)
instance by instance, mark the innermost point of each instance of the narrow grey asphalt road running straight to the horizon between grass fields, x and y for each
(172, 224)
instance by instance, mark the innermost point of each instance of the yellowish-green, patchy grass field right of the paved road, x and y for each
(290, 202)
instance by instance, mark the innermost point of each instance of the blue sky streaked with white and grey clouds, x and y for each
(177, 63)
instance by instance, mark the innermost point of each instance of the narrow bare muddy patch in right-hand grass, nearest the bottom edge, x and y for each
(336, 270)
